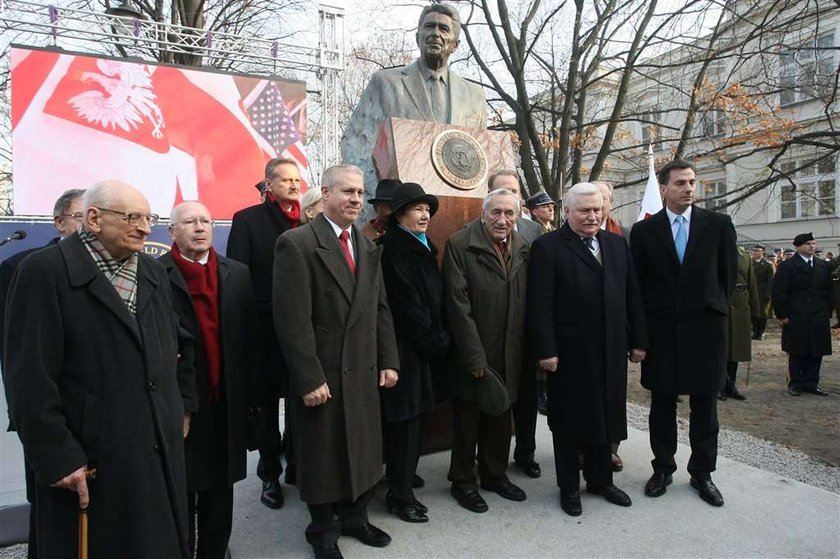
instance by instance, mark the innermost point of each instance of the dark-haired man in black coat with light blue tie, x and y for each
(686, 261)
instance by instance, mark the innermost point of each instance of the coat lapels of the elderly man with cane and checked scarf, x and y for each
(82, 271)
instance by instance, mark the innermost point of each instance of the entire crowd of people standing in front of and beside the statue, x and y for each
(138, 386)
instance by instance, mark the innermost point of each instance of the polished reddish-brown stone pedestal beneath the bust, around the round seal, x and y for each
(403, 150)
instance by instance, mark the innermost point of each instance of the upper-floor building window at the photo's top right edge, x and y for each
(807, 72)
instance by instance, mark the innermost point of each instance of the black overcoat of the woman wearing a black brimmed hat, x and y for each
(414, 285)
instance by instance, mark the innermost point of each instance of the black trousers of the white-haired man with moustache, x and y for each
(597, 469)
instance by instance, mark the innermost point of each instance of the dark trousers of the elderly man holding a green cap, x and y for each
(491, 435)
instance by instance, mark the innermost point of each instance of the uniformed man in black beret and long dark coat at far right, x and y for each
(802, 302)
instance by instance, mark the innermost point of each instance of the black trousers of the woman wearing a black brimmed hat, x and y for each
(402, 451)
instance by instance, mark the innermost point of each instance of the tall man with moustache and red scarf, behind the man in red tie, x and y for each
(253, 233)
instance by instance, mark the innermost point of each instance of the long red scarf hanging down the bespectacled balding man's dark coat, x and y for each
(203, 287)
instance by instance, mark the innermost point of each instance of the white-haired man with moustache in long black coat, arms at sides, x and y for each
(585, 317)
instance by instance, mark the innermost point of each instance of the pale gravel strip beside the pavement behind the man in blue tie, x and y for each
(759, 453)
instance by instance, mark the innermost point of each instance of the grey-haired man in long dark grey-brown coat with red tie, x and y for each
(336, 331)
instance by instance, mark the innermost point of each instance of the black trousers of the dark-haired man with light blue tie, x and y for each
(703, 433)
